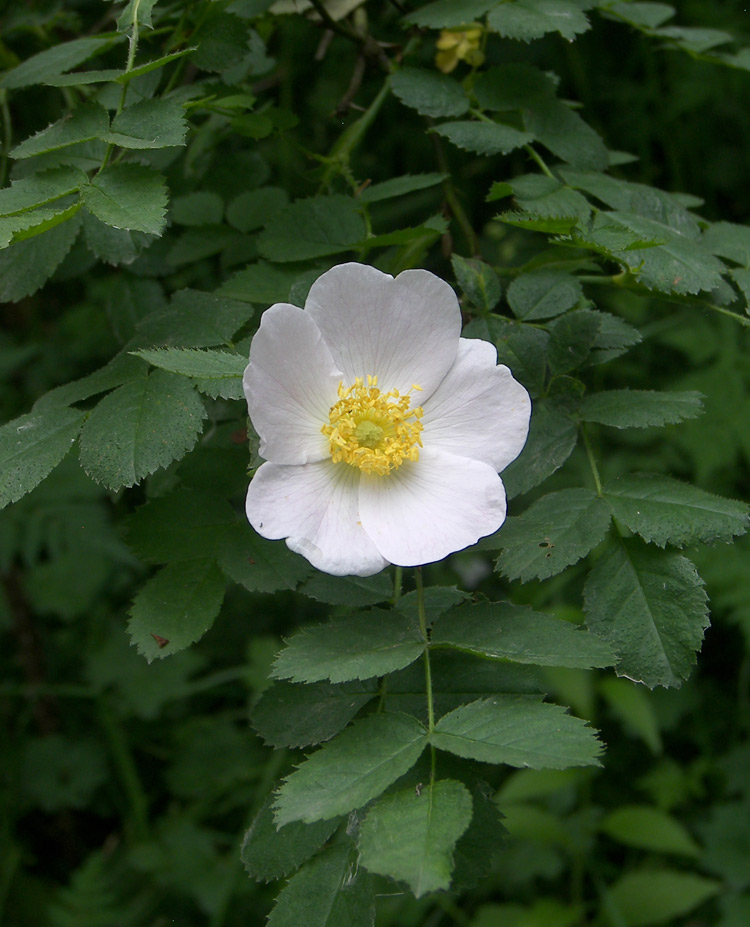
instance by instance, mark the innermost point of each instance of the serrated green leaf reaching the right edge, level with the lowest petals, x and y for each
(665, 511)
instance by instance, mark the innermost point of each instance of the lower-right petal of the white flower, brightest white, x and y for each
(426, 510)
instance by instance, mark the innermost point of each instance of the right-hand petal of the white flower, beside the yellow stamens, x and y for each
(478, 410)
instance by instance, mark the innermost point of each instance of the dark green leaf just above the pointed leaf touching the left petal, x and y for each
(194, 319)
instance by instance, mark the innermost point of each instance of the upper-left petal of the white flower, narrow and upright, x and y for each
(290, 385)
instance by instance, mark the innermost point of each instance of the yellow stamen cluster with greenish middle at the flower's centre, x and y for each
(372, 430)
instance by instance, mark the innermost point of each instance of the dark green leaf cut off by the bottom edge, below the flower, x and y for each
(325, 893)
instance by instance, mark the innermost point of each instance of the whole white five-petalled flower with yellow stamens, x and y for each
(383, 429)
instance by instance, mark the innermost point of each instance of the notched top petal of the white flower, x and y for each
(403, 330)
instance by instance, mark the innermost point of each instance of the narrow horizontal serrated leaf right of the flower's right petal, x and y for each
(640, 408)
